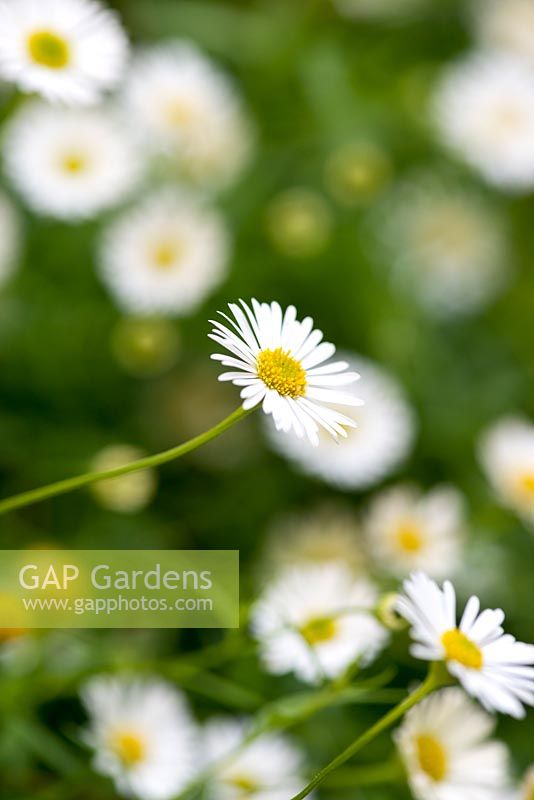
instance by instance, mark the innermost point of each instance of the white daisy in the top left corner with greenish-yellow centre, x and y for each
(70, 51)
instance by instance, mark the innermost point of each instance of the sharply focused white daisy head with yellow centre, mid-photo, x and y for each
(280, 363)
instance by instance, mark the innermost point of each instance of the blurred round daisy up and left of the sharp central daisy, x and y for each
(165, 255)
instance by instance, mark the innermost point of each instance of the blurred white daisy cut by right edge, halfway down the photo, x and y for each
(507, 455)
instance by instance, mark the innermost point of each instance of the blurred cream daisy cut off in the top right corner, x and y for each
(506, 27)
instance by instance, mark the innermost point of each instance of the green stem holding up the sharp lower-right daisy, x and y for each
(434, 680)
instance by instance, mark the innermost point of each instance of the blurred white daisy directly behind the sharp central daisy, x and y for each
(380, 441)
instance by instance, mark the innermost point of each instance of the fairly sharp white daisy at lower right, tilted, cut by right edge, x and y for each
(490, 665)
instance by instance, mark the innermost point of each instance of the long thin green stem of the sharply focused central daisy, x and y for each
(69, 484)
